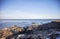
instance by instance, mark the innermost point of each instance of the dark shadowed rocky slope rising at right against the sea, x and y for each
(52, 25)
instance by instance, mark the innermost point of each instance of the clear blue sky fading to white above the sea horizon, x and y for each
(29, 9)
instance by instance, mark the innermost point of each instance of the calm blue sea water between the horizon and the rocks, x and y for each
(22, 22)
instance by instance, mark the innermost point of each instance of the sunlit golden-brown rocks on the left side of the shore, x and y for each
(10, 31)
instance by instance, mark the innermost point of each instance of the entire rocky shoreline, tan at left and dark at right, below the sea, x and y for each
(32, 32)
